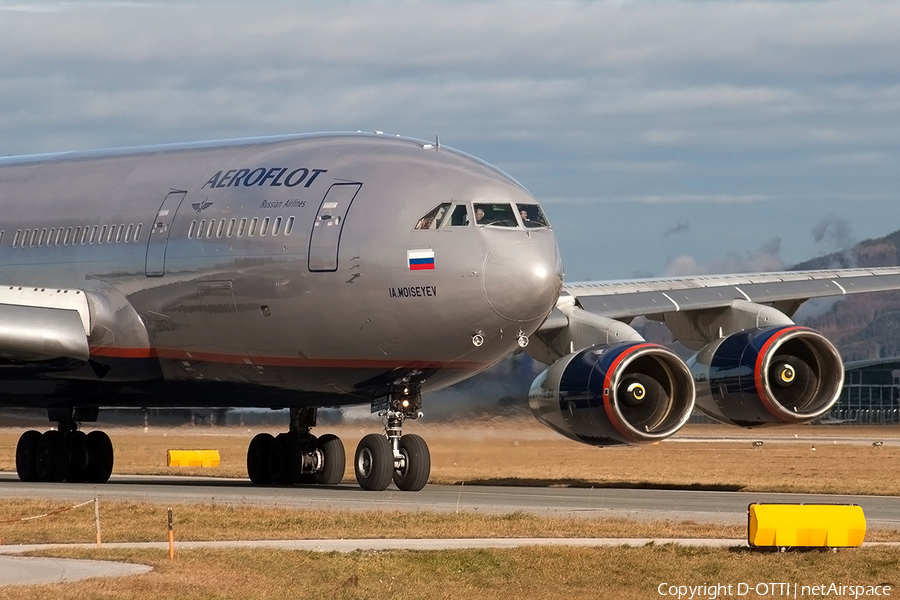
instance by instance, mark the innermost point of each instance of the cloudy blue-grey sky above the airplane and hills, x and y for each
(662, 137)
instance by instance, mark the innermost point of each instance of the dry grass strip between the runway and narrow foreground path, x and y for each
(143, 522)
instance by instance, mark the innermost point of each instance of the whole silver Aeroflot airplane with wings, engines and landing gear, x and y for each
(328, 270)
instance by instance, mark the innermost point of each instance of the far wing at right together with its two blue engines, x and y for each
(753, 366)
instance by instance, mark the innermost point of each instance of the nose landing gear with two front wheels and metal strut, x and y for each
(403, 458)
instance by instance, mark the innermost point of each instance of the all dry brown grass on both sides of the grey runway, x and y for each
(515, 453)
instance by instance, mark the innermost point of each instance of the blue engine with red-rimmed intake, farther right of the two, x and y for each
(768, 376)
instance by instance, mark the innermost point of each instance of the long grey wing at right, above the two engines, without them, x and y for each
(783, 290)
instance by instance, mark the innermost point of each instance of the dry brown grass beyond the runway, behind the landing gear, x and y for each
(521, 451)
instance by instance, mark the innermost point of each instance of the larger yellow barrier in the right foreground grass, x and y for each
(806, 525)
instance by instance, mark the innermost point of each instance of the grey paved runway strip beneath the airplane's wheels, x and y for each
(641, 504)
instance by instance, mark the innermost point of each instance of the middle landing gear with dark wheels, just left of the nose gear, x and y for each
(296, 456)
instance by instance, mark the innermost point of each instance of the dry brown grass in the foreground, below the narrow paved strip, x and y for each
(536, 573)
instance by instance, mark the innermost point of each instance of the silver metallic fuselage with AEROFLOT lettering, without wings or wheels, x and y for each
(205, 308)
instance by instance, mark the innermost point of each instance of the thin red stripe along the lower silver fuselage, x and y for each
(280, 361)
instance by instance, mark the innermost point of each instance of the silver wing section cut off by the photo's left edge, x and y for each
(38, 324)
